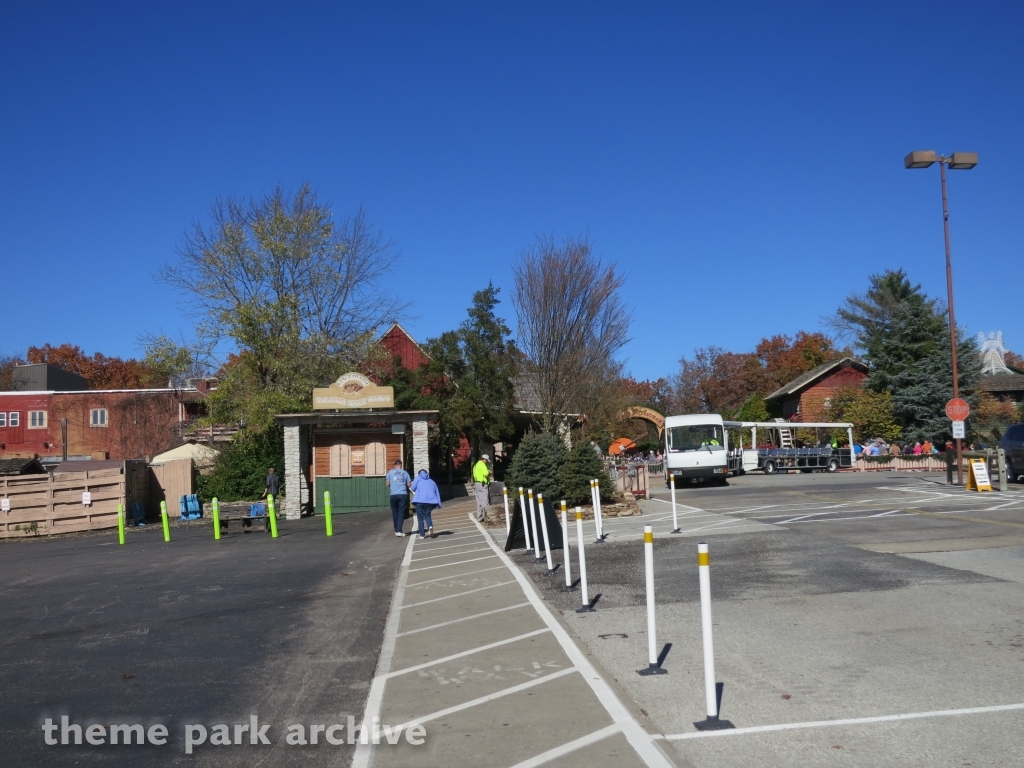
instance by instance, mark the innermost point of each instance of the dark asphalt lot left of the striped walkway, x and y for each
(195, 631)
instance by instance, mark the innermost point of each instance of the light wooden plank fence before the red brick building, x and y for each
(41, 505)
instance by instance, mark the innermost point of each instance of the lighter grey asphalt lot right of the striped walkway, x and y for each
(888, 600)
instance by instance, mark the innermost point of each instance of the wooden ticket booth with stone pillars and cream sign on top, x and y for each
(348, 445)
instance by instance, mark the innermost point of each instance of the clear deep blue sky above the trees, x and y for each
(742, 163)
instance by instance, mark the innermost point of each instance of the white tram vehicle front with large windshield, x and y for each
(697, 448)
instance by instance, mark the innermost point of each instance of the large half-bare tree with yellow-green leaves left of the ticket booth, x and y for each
(295, 291)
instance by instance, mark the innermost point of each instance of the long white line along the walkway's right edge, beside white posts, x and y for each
(639, 740)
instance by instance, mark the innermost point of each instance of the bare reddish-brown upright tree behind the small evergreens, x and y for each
(572, 323)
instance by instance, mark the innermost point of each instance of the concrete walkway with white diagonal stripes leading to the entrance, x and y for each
(475, 655)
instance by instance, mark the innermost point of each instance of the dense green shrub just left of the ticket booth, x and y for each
(240, 473)
